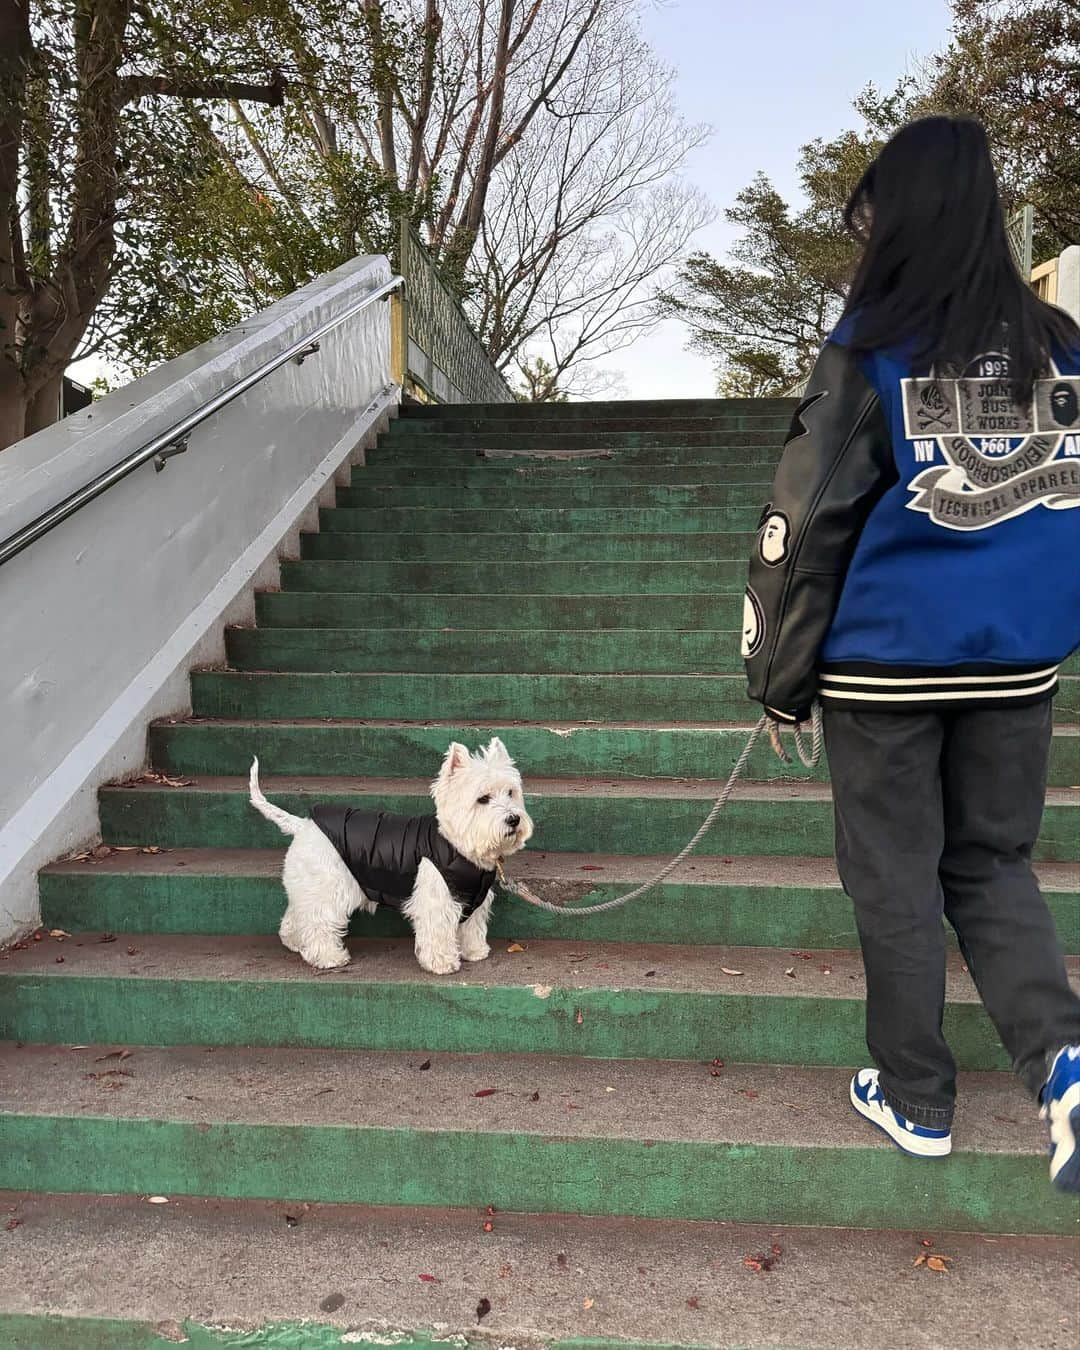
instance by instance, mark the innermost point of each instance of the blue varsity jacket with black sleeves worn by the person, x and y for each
(921, 546)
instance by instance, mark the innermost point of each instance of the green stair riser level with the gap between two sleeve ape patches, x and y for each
(515, 578)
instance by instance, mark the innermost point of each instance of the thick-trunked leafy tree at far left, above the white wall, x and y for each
(92, 98)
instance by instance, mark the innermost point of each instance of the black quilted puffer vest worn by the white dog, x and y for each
(384, 853)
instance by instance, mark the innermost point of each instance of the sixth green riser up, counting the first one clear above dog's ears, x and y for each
(502, 519)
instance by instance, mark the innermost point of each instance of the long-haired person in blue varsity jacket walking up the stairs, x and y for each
(917, 569)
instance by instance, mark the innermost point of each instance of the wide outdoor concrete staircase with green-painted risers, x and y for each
(541, 1151)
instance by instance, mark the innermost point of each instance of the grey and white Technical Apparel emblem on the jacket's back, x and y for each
(1001, 460)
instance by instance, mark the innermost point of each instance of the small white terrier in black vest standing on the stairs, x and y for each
(438, 870)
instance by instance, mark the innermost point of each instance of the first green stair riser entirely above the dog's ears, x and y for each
(605, 699)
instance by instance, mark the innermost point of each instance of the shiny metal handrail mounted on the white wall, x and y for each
(175, 441)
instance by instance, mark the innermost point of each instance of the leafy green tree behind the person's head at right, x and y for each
(765, 313)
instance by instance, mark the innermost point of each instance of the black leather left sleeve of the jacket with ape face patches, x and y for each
(836, 465)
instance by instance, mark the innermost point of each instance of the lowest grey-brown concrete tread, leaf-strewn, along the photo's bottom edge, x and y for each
(86, 1274)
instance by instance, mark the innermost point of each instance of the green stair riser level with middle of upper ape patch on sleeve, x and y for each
(331, 543)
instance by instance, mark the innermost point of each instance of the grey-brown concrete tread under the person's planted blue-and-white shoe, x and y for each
(665, 1101)
